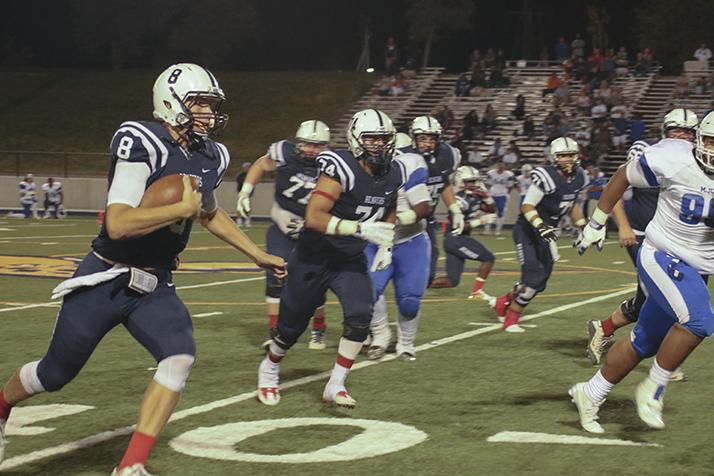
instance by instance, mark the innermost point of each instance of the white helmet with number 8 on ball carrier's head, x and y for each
(181, 86)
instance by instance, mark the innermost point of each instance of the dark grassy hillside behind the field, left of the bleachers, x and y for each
(79, 110)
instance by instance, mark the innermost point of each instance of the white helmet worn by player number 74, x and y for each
(366, 128)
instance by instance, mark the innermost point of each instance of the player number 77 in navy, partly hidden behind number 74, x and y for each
(295, 178)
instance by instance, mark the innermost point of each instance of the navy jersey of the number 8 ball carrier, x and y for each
(151, 143)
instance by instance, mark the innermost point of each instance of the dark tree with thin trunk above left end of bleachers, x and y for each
(429, 20)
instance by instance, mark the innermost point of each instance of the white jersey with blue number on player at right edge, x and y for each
(683, 223)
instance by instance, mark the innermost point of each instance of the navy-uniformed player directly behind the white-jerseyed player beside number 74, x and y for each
(442, 160)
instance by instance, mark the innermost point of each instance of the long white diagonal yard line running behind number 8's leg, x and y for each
(92, 440)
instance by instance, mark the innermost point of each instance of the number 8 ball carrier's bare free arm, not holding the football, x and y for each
(222, 226)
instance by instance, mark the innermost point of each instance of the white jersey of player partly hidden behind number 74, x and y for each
(413, 192)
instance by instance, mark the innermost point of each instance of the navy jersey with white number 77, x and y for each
(294, 178)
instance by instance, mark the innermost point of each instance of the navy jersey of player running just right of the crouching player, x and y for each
(560, 192)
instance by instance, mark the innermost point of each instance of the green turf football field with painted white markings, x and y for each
(470, 381)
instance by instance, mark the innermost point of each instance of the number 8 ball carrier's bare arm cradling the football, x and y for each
(124, 221)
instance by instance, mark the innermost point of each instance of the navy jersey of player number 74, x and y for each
(364, 198)
